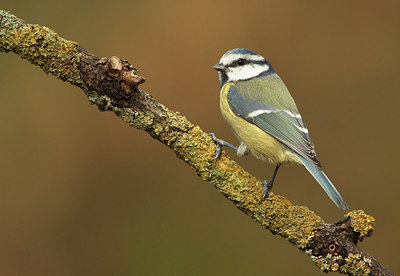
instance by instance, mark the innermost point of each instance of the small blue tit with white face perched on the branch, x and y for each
(255, 102)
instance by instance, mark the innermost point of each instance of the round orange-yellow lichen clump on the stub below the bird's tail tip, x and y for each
(361, 223)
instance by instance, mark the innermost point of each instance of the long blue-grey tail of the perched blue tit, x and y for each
(325, 183)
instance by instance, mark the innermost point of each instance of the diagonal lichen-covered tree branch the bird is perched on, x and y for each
(112, 85)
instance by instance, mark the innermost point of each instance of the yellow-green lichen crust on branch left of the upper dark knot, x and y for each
(41, 46)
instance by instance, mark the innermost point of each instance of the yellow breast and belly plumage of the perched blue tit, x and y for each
(261, 144)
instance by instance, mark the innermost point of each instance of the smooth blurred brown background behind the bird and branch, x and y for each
(82, 193)
